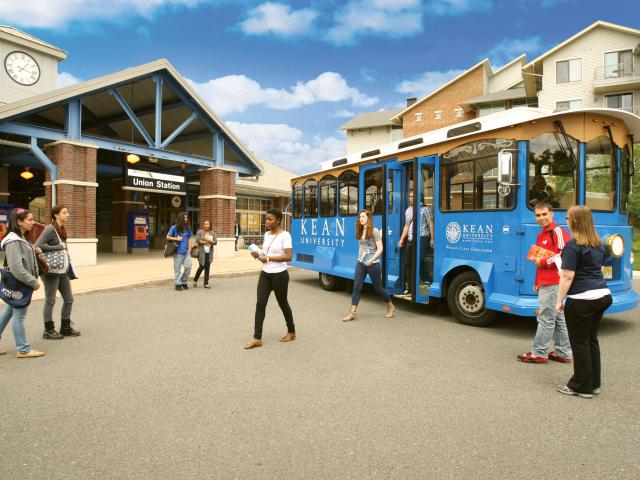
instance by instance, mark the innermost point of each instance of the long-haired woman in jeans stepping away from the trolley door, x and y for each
(369, 252)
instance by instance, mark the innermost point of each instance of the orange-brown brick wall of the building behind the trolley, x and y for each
(446, 101)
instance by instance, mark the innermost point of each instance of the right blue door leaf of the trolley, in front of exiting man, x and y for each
(425, 202)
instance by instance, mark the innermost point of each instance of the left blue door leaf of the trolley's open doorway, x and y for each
(393, 228)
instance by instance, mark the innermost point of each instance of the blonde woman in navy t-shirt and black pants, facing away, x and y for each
(582, 282)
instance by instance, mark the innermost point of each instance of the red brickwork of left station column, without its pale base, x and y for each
(75, 163)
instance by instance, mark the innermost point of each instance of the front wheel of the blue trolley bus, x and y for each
(466, 300)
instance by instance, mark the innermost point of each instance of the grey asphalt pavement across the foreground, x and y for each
(158, 386)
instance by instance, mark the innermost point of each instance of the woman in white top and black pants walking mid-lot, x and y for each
(276, 252)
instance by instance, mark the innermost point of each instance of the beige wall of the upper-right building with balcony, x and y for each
(591, 48)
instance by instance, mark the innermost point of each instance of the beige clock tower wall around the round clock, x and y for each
(11, 91)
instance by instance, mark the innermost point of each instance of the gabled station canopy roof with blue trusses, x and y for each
(149, 110)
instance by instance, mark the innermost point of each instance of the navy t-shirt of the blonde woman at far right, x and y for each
(587, 263)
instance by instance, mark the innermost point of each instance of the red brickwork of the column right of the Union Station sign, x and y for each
(221, 211)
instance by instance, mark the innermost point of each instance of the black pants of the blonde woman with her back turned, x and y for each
(583, 320)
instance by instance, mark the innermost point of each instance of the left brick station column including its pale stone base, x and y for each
(76, 189)
